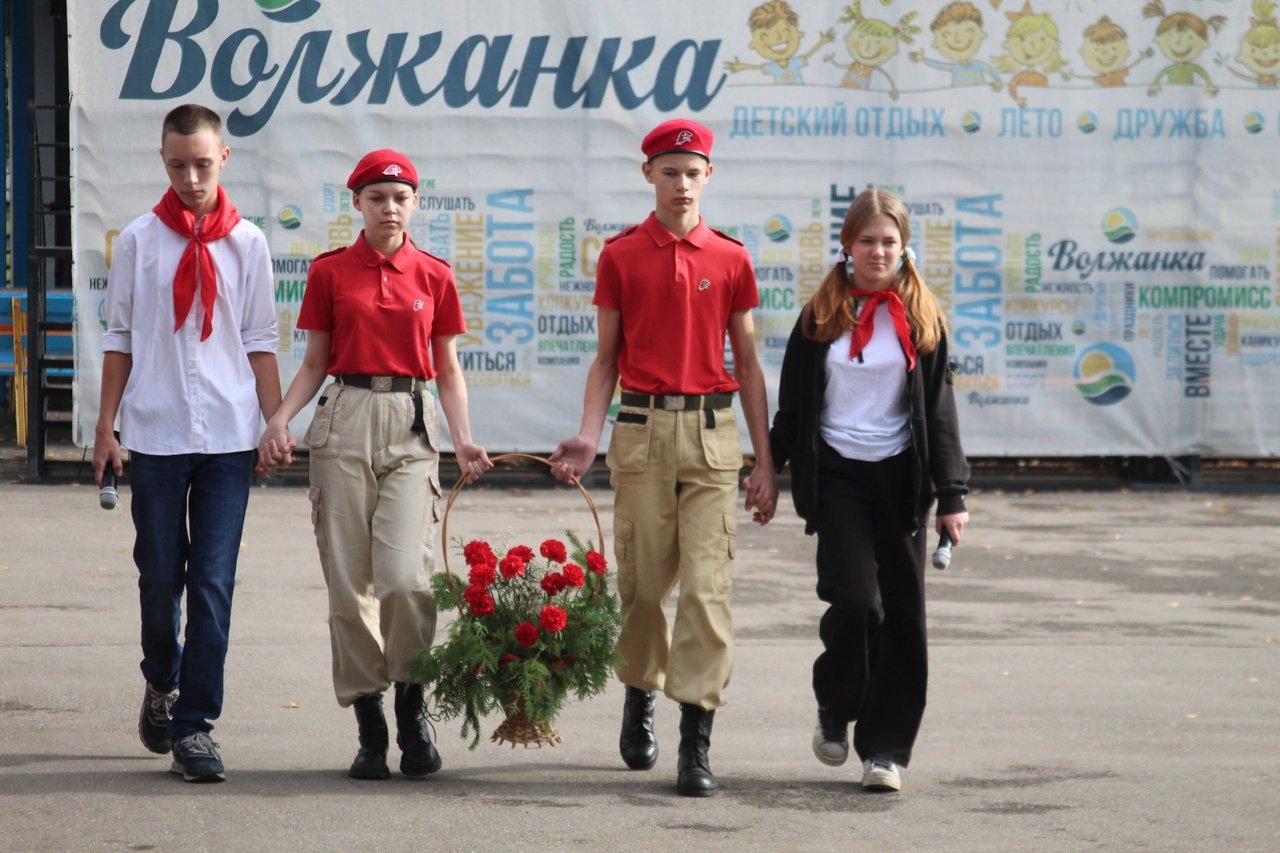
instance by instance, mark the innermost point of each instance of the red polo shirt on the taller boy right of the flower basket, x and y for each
(676, 297)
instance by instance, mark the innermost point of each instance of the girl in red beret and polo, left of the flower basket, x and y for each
(381, 318)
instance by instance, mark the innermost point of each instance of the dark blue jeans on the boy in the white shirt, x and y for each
(189, 514)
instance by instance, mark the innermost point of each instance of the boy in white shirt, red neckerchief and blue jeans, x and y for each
(189, 364)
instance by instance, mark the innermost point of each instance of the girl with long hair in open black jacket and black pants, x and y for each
(868, 422)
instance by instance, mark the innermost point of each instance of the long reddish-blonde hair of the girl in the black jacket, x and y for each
(831, 313)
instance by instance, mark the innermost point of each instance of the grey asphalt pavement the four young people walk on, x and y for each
(1105, 676)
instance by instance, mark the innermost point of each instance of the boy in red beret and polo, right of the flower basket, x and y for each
(668, 293)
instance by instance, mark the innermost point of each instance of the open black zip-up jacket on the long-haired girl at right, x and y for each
(935, 428)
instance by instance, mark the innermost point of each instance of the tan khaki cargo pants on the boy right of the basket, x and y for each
(675, 477)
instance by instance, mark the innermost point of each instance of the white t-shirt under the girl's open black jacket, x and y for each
(865, 412)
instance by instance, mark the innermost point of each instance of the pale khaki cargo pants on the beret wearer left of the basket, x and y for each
(376, 507)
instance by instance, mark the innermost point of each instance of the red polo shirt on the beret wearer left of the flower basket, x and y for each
(382, 312)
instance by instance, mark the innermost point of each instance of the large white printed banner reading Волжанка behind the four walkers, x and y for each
(1094, 185)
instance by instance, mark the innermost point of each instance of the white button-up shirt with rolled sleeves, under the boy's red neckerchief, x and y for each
(186, 396)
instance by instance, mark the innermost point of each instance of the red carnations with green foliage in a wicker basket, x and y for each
(532, 630)
